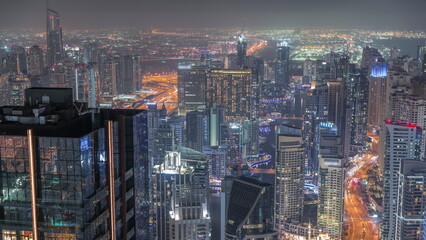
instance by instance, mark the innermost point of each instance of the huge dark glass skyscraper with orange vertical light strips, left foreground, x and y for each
(74, 170)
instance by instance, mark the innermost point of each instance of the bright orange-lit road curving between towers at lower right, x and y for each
(360, 225)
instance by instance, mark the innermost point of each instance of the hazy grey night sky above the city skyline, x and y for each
(283, 14)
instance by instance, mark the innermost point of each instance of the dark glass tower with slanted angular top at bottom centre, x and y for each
(249, 209)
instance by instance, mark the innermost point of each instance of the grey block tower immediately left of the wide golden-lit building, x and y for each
(191, 88)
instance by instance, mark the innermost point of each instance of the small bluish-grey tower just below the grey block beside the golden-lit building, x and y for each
(196, 130)
